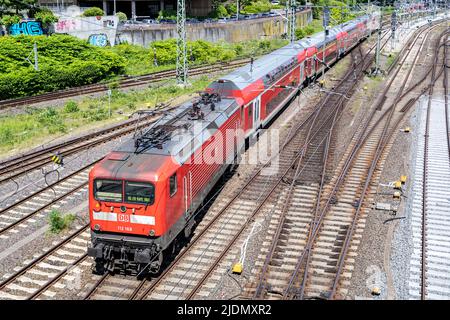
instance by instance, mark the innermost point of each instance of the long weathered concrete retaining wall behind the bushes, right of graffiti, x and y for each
(264, 28)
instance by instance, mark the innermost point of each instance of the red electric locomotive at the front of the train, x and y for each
(144, 193)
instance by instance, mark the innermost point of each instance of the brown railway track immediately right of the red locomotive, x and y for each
(208, 254)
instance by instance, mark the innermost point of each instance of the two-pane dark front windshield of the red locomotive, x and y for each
(113, 191)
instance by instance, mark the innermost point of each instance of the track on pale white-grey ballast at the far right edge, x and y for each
(429, 266)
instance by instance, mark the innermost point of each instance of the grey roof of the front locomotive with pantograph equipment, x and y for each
(178, 134)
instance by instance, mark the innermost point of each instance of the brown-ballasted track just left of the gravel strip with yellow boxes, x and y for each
(324, 267)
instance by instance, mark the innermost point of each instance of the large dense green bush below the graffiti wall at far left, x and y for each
(64, 61)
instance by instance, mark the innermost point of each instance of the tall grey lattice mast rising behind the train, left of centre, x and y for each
(182, 67)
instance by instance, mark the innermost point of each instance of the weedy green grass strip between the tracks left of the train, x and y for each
(36, 126)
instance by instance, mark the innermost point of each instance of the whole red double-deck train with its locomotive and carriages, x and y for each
(144, 195)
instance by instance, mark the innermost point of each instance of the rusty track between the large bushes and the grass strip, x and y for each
(124, 83)
